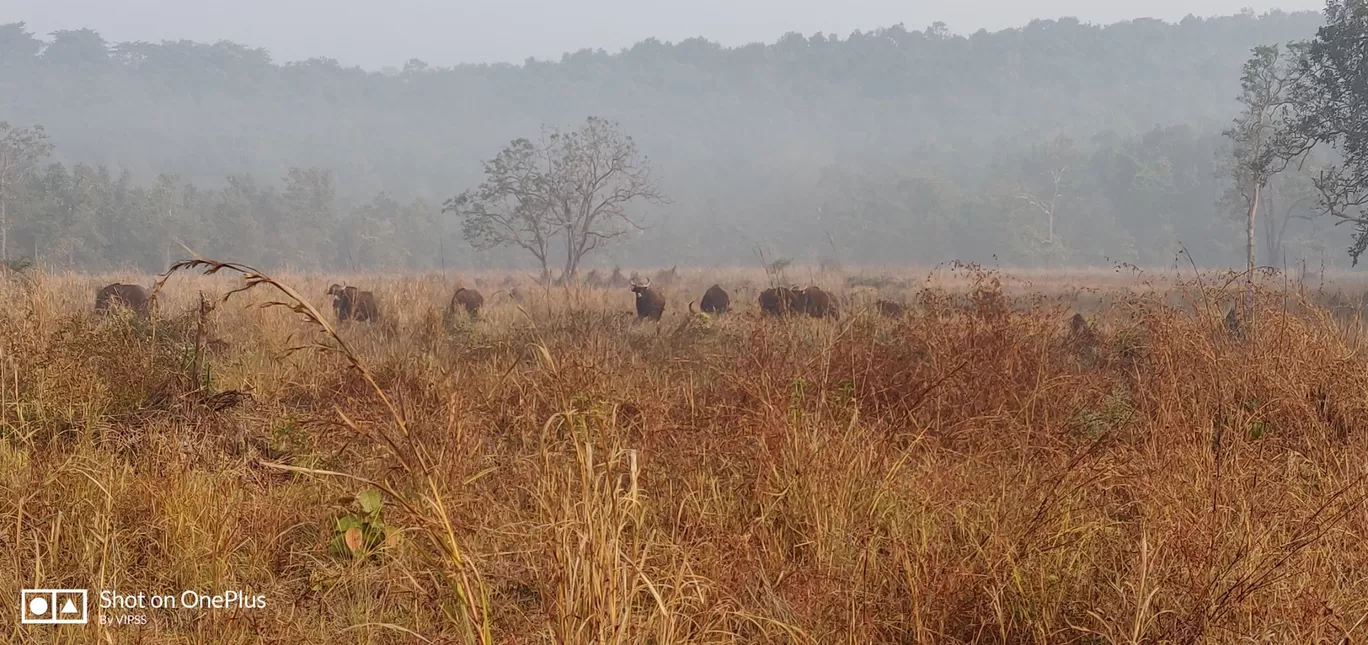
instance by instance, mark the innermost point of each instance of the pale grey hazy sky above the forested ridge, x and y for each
(448, 32)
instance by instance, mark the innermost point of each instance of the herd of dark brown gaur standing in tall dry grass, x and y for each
(351, 303)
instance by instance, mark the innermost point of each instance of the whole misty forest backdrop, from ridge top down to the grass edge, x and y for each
(1053, 144)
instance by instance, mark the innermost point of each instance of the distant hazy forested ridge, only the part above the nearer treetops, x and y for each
(209, 112)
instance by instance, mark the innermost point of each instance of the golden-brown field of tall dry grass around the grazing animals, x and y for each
(556, 472)
